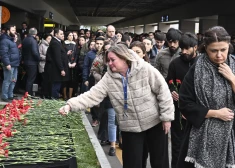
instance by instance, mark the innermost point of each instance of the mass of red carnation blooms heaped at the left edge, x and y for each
(9, 115)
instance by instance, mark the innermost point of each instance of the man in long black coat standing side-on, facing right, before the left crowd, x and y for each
(57, 63)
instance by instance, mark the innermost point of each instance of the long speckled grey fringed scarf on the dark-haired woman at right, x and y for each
(212, 145)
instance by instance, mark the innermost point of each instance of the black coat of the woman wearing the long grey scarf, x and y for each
(193, 112)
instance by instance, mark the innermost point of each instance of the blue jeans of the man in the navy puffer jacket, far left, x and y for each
(8, 84)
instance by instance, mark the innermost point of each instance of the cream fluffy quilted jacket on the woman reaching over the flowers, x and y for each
(149, 98)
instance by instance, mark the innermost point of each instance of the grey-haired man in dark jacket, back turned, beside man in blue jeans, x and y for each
(30, 57)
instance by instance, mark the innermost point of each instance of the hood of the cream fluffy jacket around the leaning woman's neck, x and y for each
(136, 65)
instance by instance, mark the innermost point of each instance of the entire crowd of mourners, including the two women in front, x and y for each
(141, 89)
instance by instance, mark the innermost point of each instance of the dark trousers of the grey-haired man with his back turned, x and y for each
(31, 71)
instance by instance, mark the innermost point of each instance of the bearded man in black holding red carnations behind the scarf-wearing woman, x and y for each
(176, 72)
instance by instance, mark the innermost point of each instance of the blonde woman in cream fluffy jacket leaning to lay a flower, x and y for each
(142, 102)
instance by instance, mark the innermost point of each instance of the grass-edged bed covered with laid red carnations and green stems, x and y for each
(33, 132)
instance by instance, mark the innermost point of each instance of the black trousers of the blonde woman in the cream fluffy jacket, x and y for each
(134, 146)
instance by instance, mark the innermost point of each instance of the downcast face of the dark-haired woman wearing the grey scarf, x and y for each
(218, 52)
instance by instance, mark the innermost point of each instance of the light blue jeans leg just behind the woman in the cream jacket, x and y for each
(112, 128)
